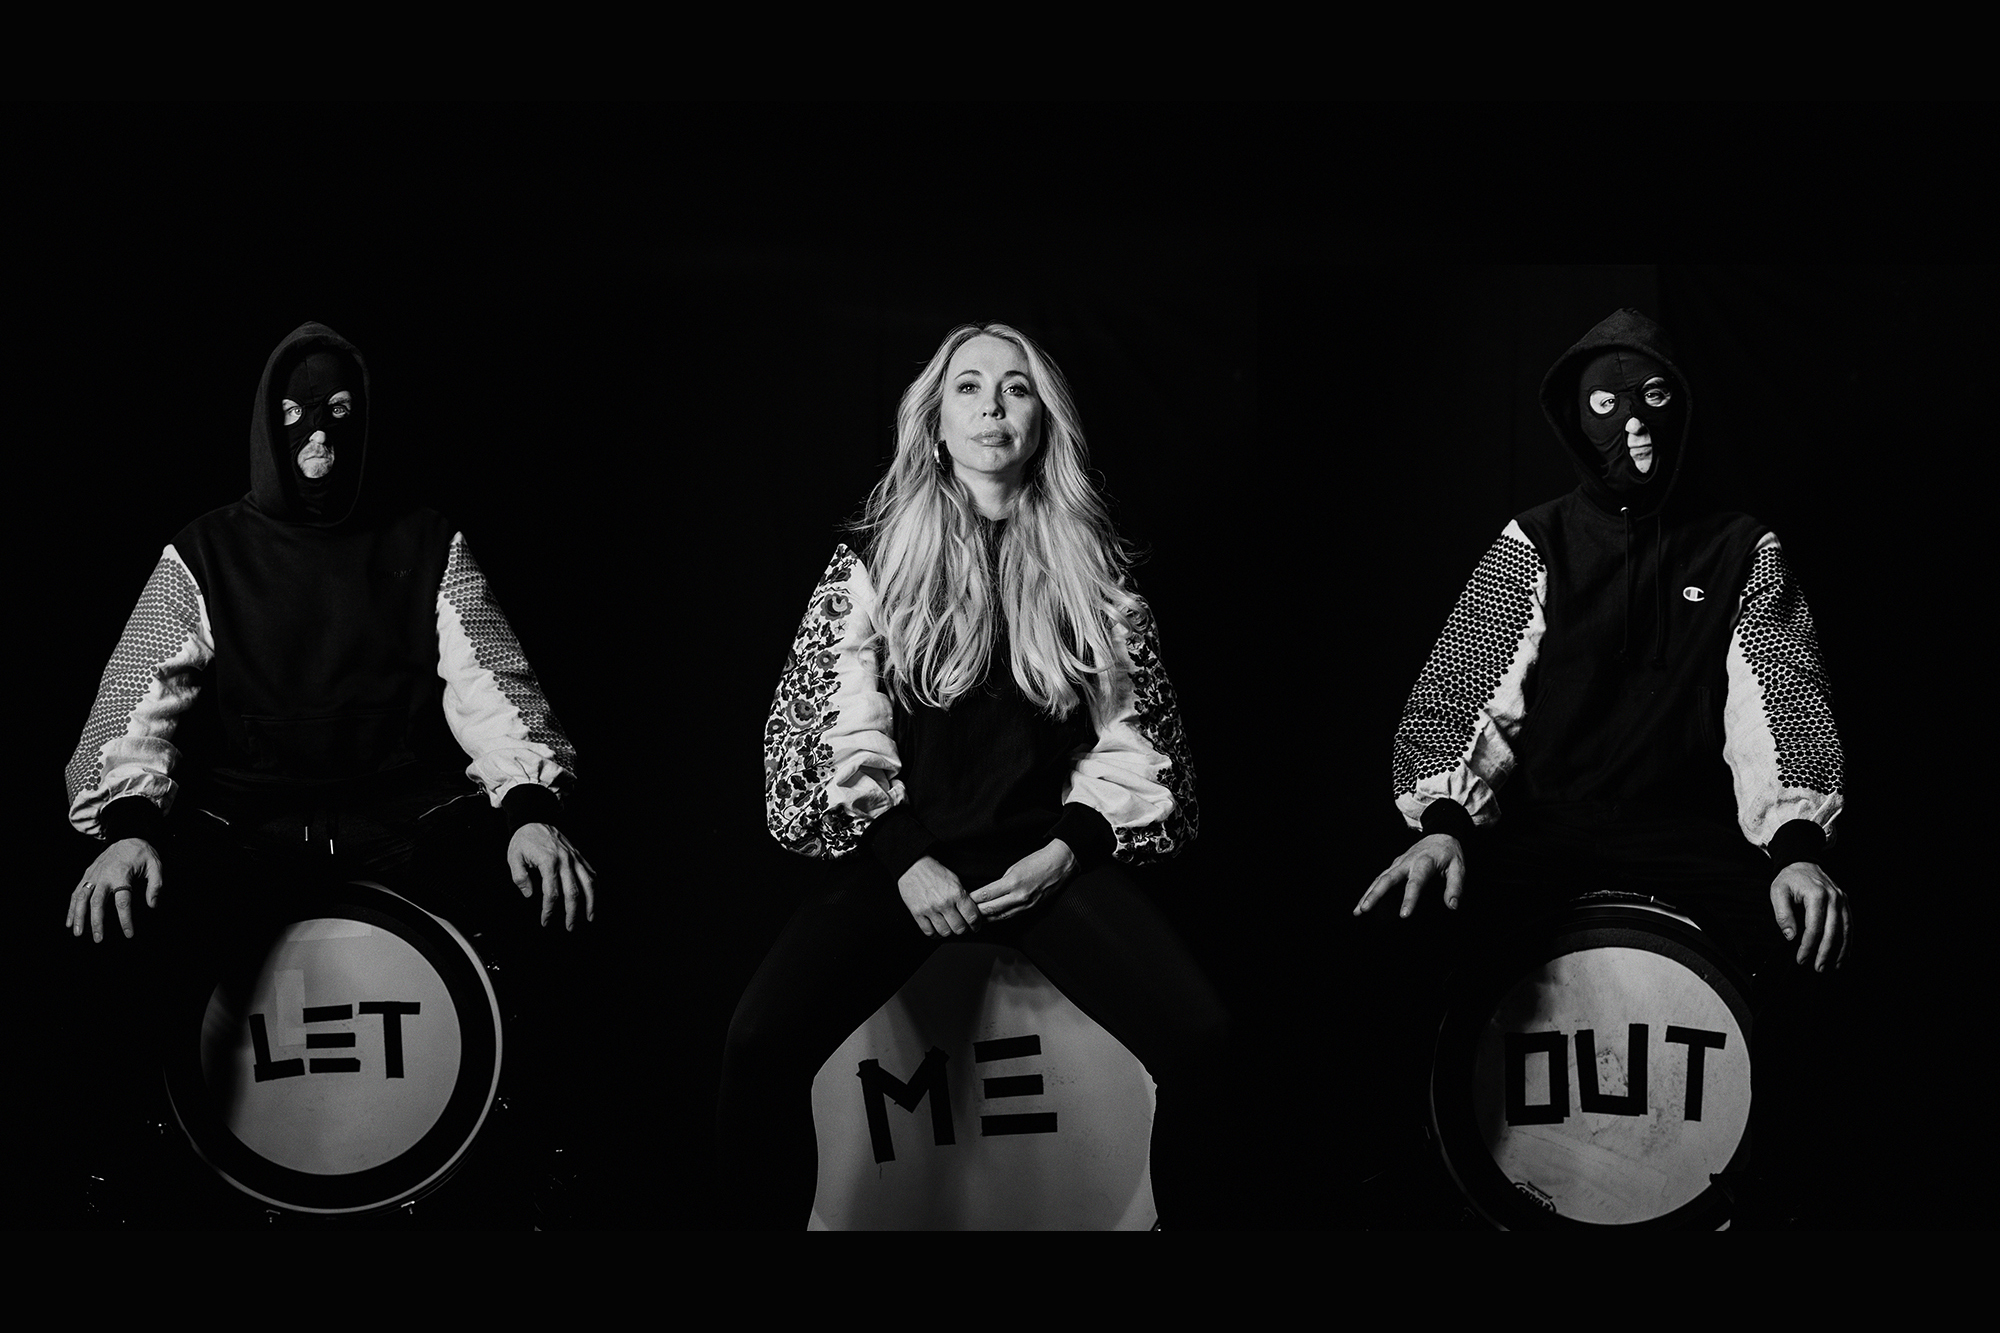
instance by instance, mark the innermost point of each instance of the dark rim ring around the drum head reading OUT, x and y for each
(1593, 922)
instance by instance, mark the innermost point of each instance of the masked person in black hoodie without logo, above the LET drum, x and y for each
(313, 647)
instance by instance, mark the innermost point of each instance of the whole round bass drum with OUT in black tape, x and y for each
(1599, 1074)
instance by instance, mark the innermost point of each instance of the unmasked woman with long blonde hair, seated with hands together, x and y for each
(977, 734)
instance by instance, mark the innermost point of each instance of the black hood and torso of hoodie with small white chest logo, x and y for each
(1625, 706)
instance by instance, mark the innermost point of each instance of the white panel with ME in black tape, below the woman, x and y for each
(1045, 1120)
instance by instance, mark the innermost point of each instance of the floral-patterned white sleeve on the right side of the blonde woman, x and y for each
(1139, 776)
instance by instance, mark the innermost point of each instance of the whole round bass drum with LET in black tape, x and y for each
(347, 1062)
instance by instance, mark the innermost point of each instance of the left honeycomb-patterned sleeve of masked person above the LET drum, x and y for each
(153, 680)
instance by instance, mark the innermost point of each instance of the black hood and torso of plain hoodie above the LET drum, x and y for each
(327, 682)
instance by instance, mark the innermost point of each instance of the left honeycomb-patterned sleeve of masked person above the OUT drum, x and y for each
(1457, 734)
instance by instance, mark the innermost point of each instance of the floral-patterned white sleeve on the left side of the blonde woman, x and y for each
(831, 762)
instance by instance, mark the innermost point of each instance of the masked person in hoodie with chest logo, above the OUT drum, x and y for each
(1621, 670)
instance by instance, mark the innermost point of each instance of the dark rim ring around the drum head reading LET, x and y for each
(431, 1160)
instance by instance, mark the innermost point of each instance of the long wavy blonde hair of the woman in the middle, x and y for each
(1061, 563)
